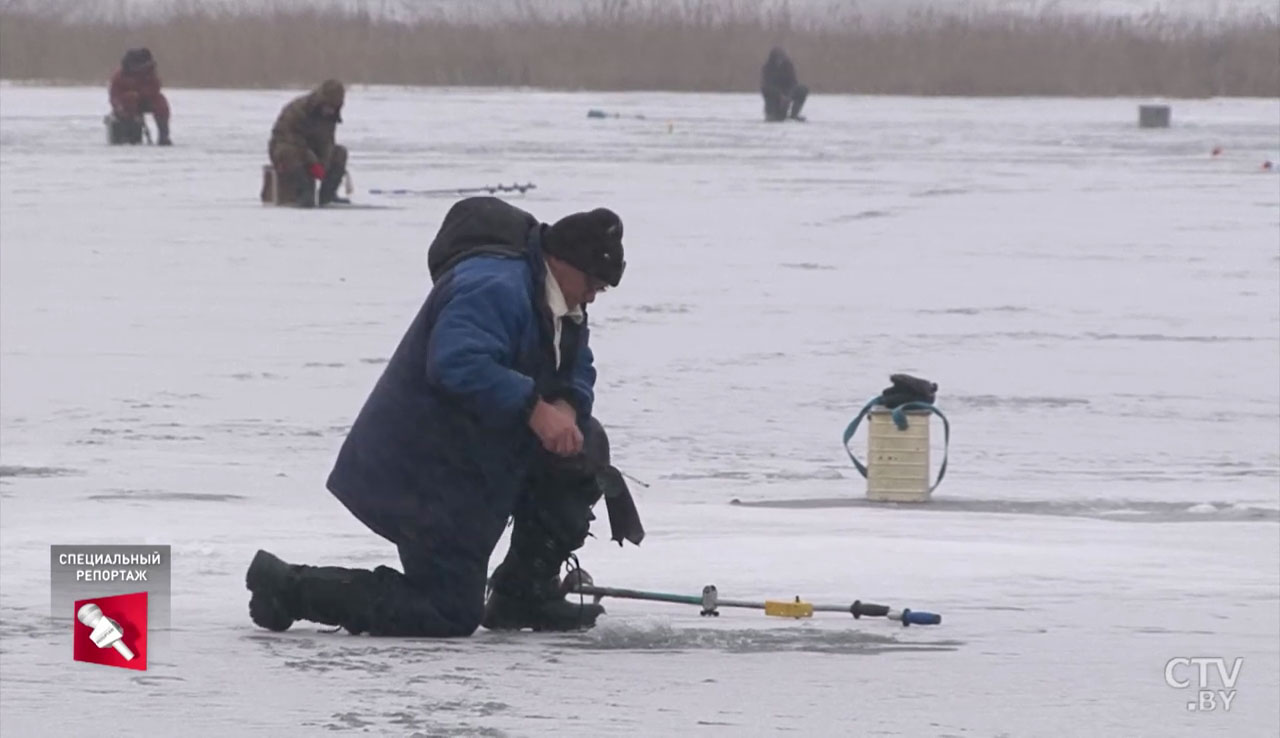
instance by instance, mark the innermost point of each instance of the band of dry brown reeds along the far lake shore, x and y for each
(694, 47)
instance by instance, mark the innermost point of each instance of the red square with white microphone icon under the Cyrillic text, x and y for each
(112, 631)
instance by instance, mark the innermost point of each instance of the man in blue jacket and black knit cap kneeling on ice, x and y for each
(483, 414)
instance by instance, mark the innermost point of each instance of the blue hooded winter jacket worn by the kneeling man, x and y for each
(444, 447)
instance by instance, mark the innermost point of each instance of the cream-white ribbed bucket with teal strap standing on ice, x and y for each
(898, 461)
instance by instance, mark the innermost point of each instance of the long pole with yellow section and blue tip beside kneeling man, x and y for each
(711, 603)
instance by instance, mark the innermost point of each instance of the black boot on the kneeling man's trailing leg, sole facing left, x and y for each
(328, 595)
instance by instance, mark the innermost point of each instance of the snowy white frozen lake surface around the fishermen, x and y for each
(1099, 304)
